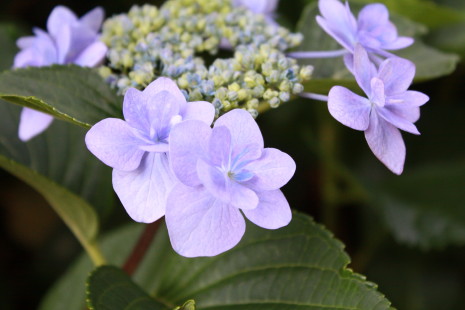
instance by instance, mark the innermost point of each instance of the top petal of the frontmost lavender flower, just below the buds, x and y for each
(243, 128)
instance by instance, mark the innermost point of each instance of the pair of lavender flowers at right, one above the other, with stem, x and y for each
(389, 106)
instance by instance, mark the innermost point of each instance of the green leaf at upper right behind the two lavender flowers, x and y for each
(431, 63)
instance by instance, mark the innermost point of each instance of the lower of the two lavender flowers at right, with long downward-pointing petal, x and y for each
(389, 106)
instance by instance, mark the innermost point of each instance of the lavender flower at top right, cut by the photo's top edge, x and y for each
(373, 29)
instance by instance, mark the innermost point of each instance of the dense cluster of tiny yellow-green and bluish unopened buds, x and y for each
(149, 42)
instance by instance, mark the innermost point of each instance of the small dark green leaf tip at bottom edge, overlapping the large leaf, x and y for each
(109, 288)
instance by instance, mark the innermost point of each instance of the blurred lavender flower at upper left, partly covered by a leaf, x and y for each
(69, 40)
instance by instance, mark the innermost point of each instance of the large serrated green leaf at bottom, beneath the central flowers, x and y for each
(300, 266)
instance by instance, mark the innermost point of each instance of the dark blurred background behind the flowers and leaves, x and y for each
(413, 224)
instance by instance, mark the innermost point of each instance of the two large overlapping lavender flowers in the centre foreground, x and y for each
(168, 161)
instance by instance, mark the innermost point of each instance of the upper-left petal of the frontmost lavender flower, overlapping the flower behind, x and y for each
(188, 143)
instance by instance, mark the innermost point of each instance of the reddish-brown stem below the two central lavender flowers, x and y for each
(141, 247)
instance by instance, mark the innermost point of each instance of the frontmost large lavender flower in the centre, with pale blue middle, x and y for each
(222, 172)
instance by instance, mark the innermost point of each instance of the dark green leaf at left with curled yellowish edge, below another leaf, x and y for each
(58, 165)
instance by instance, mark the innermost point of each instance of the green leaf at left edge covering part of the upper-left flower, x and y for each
(75, 94)
